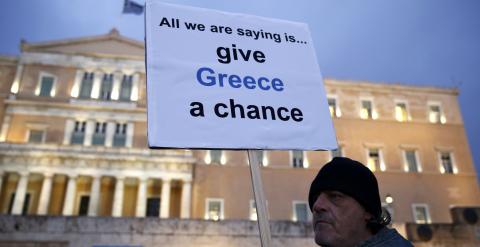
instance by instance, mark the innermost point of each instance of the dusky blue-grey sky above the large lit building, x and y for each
(430, 42)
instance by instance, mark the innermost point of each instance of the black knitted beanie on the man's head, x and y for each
(351, 178)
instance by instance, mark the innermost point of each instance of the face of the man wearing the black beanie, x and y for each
(339, 220)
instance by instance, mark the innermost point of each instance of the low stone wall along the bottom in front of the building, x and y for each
(57, 231)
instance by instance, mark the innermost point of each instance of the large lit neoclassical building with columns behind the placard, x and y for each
(73, 142)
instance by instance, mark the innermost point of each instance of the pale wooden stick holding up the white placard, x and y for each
(260, 205)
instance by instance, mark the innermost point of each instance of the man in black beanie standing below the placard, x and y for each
(346, 207)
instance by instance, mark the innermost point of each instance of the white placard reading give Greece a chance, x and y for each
(232, 81)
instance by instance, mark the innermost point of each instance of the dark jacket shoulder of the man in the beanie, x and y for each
(386, 237)
